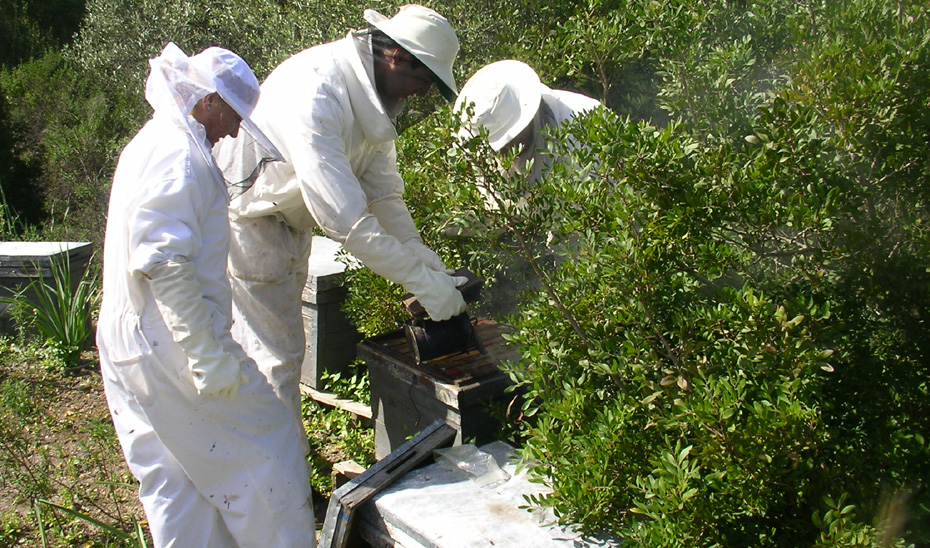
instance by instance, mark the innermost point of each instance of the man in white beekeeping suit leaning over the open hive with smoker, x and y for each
(330, 110)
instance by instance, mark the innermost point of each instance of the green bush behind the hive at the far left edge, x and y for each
(67, 132)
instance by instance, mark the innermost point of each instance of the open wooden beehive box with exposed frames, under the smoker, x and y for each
(460, 388)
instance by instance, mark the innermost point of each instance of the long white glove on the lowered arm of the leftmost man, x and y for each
(179, 298)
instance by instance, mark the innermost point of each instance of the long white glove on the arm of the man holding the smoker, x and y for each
(386, 256)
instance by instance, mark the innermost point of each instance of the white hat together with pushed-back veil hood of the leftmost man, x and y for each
(177, 82)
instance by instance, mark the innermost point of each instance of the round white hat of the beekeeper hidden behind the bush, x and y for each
(506, 96)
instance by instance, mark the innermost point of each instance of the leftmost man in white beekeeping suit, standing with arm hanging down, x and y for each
(213, 448)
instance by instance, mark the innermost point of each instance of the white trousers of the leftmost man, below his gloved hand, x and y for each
(213, 472)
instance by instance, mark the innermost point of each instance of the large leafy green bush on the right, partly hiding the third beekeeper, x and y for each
(732, 350)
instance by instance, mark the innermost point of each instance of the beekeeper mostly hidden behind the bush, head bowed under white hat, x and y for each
(511, 103)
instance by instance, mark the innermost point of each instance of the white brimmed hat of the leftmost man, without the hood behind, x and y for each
(235, 83)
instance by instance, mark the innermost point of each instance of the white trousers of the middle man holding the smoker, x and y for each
(268, 272)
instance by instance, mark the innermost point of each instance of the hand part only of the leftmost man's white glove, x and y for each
(215, 371)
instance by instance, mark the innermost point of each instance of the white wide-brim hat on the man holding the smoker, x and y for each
(427, 36)
